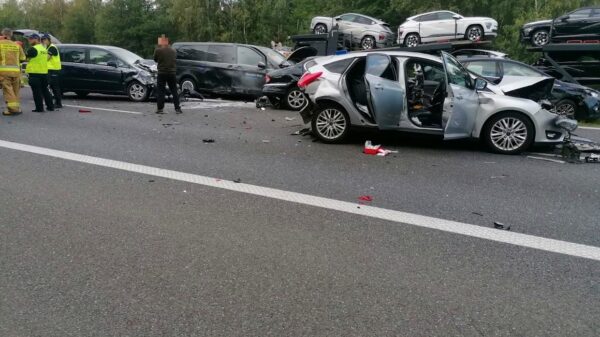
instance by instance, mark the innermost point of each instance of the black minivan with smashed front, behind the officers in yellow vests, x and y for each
(106, 70)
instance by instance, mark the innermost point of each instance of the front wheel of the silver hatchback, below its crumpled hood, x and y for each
(508, 133)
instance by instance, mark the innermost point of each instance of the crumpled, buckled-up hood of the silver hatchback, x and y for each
(533, 88)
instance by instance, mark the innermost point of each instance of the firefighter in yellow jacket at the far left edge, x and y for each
(11, 56)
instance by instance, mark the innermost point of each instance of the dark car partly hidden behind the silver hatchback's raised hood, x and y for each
(569, 99)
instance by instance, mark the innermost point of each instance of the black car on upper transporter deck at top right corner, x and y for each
(581, 24)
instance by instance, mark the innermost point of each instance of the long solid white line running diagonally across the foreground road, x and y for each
(523, 240)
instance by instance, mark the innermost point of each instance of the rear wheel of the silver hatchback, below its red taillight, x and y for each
(330, 123)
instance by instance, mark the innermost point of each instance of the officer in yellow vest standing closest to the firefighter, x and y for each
(37, 69)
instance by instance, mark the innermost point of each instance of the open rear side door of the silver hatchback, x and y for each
(385, 94)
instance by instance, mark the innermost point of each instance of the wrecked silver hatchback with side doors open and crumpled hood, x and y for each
(421, 93)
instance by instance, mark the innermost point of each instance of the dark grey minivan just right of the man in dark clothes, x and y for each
(227, 70)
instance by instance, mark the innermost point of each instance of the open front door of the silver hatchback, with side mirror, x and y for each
(462, 102)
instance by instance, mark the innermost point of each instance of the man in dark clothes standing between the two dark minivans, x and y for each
(166, 56)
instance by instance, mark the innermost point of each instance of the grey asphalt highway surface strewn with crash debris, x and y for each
(90, 249)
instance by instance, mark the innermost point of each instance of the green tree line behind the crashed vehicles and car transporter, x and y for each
(136, 24)
